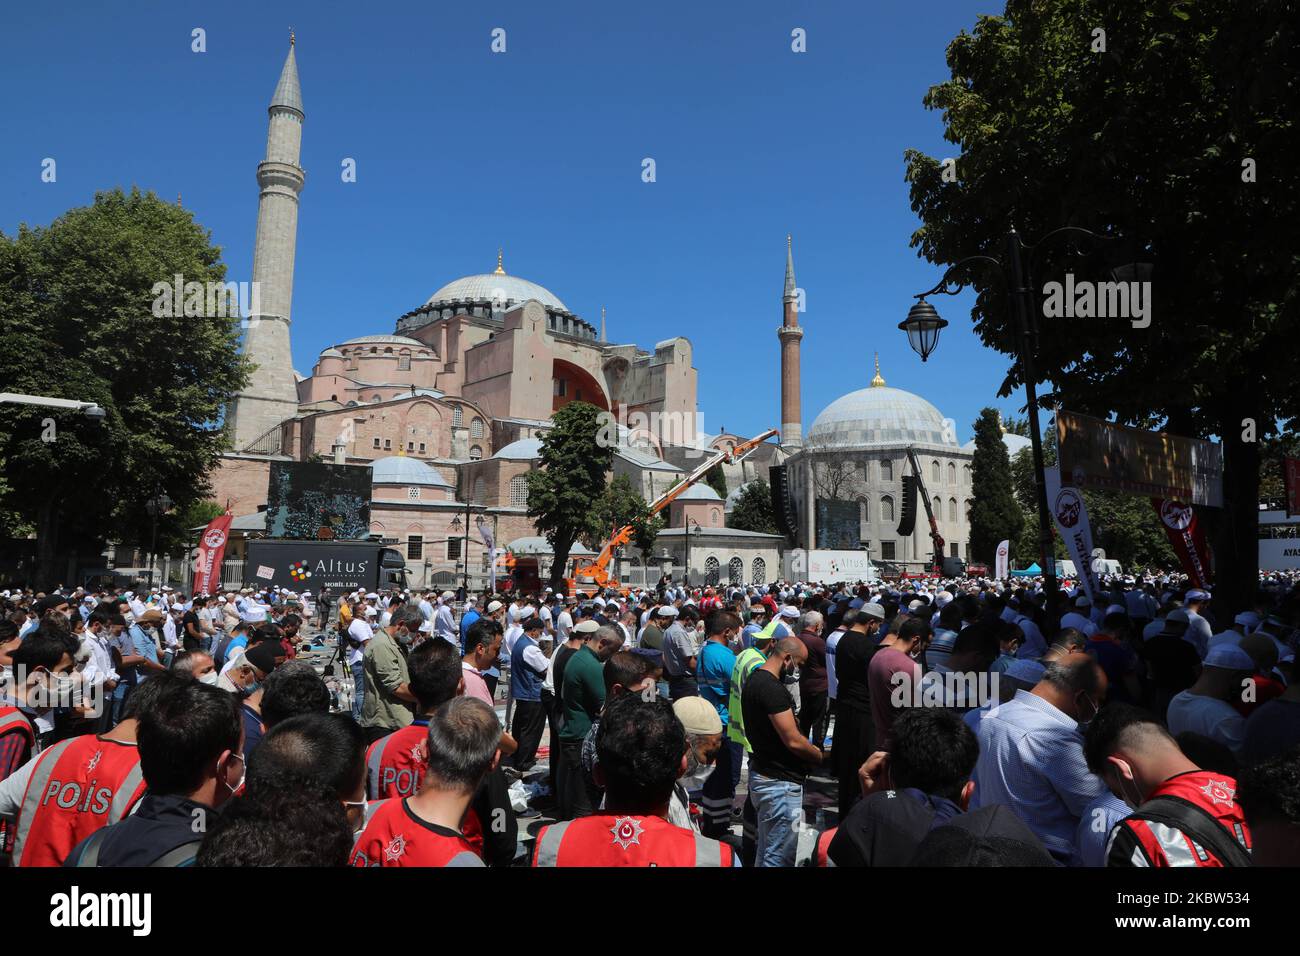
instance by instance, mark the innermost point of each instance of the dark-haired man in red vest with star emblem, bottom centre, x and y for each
(643, 751)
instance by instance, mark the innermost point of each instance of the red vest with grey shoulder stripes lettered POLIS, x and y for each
(77, 786)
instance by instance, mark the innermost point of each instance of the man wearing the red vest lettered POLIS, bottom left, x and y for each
(80, 785)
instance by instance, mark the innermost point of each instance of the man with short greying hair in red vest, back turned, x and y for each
(426, 830)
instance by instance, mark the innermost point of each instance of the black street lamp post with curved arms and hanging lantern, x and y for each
(924, 327)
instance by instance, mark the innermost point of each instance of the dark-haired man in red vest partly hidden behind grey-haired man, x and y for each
(398, 763)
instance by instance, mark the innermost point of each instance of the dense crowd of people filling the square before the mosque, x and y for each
(931, 723)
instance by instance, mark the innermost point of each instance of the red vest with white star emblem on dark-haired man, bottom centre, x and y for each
(610, 841)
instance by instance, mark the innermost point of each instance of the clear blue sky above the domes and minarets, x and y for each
(538, 150)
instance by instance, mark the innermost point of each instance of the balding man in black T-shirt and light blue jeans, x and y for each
(781, 754)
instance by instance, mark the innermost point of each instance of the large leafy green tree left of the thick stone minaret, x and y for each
(77, 322)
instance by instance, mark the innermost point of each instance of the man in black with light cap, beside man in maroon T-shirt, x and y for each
(855, 730)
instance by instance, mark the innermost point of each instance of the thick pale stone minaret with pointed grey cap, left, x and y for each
(272, 393)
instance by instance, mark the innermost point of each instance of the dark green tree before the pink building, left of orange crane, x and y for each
(562, 494)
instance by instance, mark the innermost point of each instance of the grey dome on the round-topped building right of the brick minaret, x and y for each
(878, 416)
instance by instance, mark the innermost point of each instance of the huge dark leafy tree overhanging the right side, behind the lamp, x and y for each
(1156, 140)
